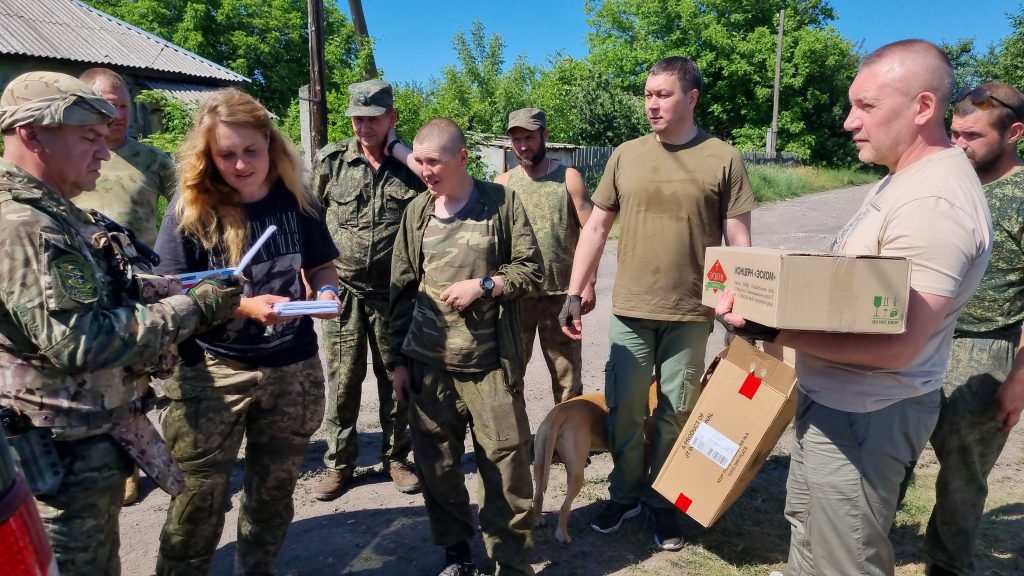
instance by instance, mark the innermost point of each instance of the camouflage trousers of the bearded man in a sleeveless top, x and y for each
(563, 355)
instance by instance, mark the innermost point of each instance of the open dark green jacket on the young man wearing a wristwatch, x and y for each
(523, 270)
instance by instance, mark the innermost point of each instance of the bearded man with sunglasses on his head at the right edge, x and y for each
(984, 388)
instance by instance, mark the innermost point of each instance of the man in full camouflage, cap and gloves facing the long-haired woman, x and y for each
(77, 337)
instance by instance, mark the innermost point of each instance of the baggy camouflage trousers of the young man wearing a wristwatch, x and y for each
(442, 405)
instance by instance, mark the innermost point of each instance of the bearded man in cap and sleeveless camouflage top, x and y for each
(558, 204)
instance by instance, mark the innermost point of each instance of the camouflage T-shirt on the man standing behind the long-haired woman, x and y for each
(131, 183)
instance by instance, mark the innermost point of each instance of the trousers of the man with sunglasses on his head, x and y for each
(967, 442)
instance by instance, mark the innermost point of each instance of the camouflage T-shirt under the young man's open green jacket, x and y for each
(456, 249)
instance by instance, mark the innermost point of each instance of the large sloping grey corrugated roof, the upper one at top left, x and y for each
(70, 30)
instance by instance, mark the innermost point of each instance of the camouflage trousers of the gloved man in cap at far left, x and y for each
(81, 519)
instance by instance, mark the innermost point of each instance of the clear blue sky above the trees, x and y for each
(414, 37)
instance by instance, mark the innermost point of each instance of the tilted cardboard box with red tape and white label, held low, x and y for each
(748, 402)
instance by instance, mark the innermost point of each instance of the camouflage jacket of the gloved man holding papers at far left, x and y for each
(68, 334)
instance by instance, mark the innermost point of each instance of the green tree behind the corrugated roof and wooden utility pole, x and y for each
(265, 40)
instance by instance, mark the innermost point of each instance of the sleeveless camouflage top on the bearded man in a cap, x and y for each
(556, 223)
